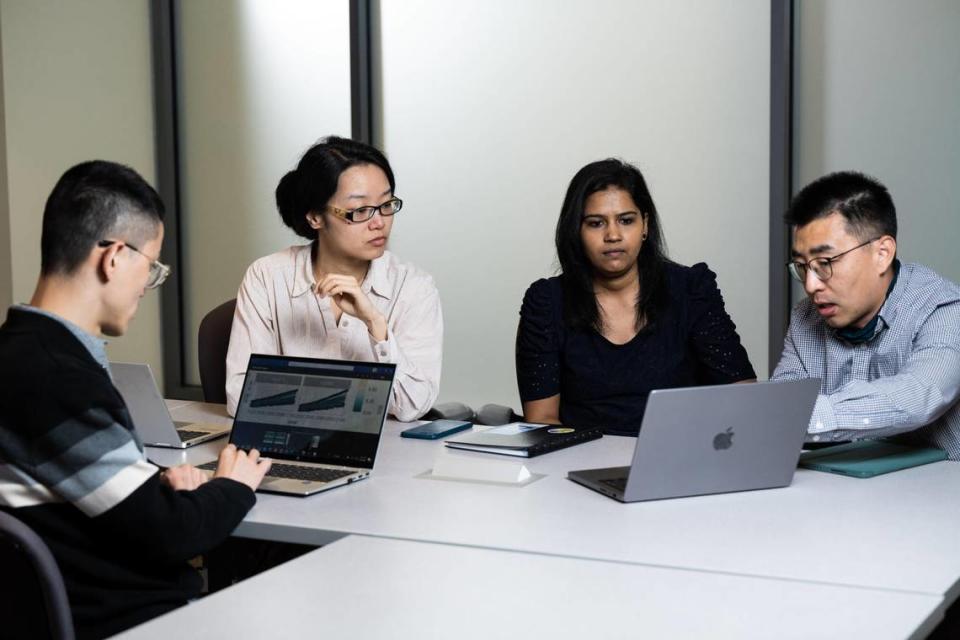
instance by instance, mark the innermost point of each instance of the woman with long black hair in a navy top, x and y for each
(621, 319)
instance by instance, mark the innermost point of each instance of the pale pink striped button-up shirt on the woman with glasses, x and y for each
(279, 312)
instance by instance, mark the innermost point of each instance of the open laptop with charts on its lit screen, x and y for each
(319, 420)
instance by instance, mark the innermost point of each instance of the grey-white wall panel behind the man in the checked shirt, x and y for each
(878, 90)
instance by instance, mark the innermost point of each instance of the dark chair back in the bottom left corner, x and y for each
(34, 603)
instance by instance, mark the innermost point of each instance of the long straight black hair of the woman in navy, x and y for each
(579, 300)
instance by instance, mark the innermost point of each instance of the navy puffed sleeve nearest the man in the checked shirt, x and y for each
(721, 358)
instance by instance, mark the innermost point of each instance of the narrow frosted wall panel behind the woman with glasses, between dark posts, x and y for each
(260, 83)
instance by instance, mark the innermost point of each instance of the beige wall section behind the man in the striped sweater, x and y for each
(77, 85)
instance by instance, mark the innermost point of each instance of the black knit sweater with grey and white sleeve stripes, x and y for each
(72, 468)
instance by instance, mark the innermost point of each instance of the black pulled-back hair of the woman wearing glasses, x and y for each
(310, 186)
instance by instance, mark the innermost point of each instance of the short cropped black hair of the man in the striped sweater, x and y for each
(94, 201)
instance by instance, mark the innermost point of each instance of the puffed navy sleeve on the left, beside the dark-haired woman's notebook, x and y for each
(538, 343)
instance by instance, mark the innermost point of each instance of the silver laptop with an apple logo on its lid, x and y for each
(716, 439)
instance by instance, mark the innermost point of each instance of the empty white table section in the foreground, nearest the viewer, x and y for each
(361, 587)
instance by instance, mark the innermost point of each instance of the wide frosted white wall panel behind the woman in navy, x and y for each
(490, 107)
